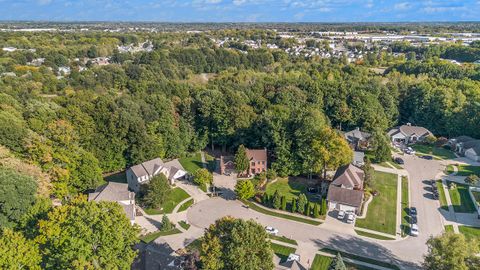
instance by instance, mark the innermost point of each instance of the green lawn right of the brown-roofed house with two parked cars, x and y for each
(381, 215)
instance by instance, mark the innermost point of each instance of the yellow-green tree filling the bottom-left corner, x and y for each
(18, 253)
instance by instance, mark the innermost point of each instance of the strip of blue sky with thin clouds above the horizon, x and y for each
(241, 10)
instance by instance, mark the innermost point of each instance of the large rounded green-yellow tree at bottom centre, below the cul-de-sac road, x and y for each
(236, 244)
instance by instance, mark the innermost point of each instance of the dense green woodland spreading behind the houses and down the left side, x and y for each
(188, 94)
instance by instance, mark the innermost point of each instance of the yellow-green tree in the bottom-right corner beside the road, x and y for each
(451, 251)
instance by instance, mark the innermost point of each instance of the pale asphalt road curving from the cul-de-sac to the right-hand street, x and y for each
(407, 253)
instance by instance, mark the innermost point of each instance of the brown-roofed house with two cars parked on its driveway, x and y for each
(346, 190)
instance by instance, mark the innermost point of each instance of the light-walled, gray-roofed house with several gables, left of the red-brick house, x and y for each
(142, 173)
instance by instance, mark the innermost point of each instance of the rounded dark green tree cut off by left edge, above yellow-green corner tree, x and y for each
(17, 195)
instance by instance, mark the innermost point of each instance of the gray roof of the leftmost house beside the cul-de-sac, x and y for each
(112, 192)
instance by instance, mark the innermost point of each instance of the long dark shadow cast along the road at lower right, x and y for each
(362, 248)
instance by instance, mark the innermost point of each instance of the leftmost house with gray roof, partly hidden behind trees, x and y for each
(116, 192)
